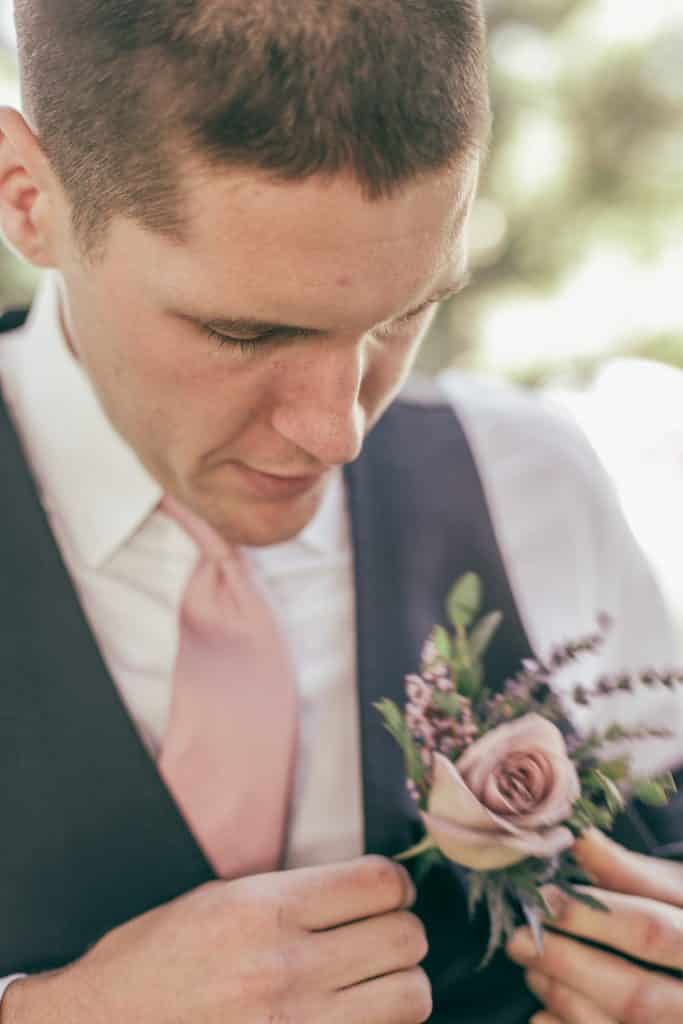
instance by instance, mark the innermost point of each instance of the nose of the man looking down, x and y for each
(319, 406)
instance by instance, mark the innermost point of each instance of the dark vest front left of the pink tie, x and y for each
(108, 841)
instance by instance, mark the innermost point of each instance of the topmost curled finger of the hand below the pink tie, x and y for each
(319, 899)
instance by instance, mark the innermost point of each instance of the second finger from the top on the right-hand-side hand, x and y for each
(642, 928)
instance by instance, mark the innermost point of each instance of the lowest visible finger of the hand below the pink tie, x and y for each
(397, 999)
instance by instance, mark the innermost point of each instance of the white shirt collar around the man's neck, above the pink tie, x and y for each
(91, 480)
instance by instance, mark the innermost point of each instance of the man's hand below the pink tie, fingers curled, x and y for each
(333, 945)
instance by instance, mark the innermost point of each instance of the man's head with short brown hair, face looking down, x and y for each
(271, 164)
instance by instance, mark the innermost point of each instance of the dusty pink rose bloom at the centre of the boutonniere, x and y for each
(506, 797)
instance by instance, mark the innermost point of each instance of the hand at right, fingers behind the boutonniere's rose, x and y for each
(582, 986)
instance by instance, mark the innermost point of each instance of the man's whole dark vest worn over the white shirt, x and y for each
(91, 836)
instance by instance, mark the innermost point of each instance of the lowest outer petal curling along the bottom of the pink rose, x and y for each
(486, 852)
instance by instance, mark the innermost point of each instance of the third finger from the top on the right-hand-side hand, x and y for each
(625, 993)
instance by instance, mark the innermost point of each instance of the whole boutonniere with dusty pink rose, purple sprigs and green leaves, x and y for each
(504, 788)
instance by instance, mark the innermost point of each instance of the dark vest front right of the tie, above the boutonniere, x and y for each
(420, 521)
